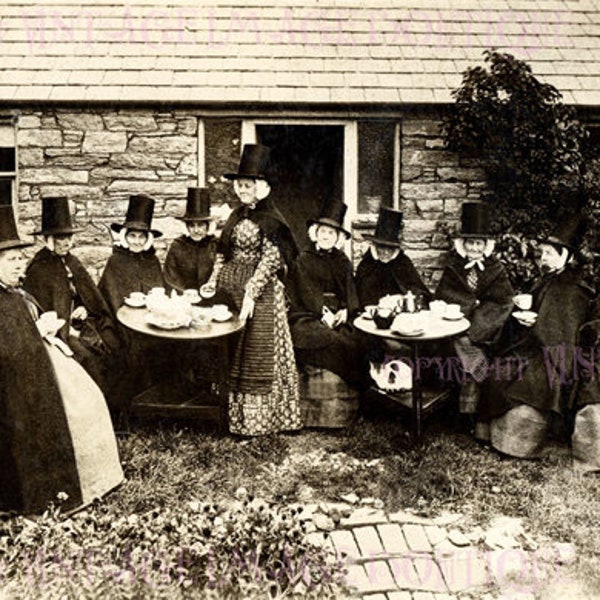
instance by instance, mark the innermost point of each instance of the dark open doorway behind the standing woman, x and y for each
(307, 163)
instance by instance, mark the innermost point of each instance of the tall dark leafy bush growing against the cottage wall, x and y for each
(530, 146)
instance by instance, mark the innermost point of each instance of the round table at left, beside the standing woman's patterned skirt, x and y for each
(180, 396)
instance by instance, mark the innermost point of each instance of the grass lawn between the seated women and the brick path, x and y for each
(172, 469)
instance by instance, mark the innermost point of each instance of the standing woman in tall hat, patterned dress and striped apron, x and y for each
(256, 246)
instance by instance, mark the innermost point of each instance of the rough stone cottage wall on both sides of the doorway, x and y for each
(98, 157)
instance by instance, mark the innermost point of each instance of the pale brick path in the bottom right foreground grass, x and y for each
(403, 556)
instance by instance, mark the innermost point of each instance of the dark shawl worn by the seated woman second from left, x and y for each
(46, 279)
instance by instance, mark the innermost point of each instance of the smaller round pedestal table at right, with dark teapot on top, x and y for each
(434, 328)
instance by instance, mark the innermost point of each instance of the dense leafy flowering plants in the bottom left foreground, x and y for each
(249, 549)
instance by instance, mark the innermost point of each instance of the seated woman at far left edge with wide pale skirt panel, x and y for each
(56, 438)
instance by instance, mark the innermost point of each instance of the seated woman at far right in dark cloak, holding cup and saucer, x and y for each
(516, 412)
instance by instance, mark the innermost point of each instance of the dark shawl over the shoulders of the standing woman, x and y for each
(271, 223)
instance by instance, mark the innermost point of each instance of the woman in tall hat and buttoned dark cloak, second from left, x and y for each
(59, 282)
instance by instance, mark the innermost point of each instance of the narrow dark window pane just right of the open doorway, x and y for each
(375, 165)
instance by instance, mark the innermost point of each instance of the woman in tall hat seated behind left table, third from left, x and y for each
(133, 265)
